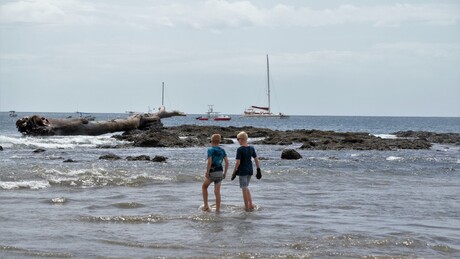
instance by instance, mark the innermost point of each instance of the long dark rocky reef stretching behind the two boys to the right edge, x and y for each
(193, 135)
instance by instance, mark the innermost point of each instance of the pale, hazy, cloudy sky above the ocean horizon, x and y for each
(329, 57)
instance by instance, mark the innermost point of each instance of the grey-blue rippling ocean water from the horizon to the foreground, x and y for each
(329, 204)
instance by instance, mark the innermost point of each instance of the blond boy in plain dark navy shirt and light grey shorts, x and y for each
(244, 169)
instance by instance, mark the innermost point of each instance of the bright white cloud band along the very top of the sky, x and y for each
(219, 14)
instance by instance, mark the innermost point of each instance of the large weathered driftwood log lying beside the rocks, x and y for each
(41, 126)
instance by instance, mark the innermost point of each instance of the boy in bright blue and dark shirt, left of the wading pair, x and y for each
(214, 171)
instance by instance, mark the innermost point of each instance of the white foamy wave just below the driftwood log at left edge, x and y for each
(60, 142)
